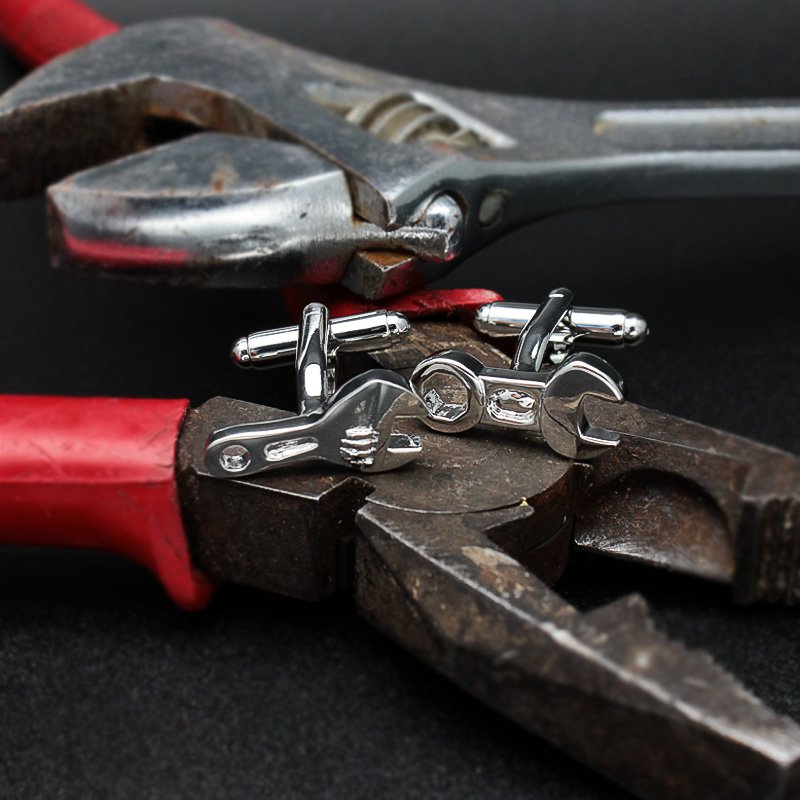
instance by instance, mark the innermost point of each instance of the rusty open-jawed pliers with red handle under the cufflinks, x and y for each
(452, 556)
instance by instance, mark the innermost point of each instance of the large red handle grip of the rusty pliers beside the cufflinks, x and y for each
(98, 472)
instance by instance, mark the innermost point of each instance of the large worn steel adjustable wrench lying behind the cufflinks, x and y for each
(322, 171)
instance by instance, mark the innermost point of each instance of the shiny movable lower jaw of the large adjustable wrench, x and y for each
(231, 211)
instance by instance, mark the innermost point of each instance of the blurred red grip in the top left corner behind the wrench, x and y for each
(39, 30)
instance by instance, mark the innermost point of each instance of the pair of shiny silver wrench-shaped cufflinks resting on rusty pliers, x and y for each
(451, 391)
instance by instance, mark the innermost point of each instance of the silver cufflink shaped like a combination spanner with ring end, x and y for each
(544, 390)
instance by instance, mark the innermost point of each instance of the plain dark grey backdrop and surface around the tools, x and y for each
(108, 691)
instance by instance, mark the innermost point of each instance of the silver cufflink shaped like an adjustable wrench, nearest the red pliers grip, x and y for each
(351, 427)
